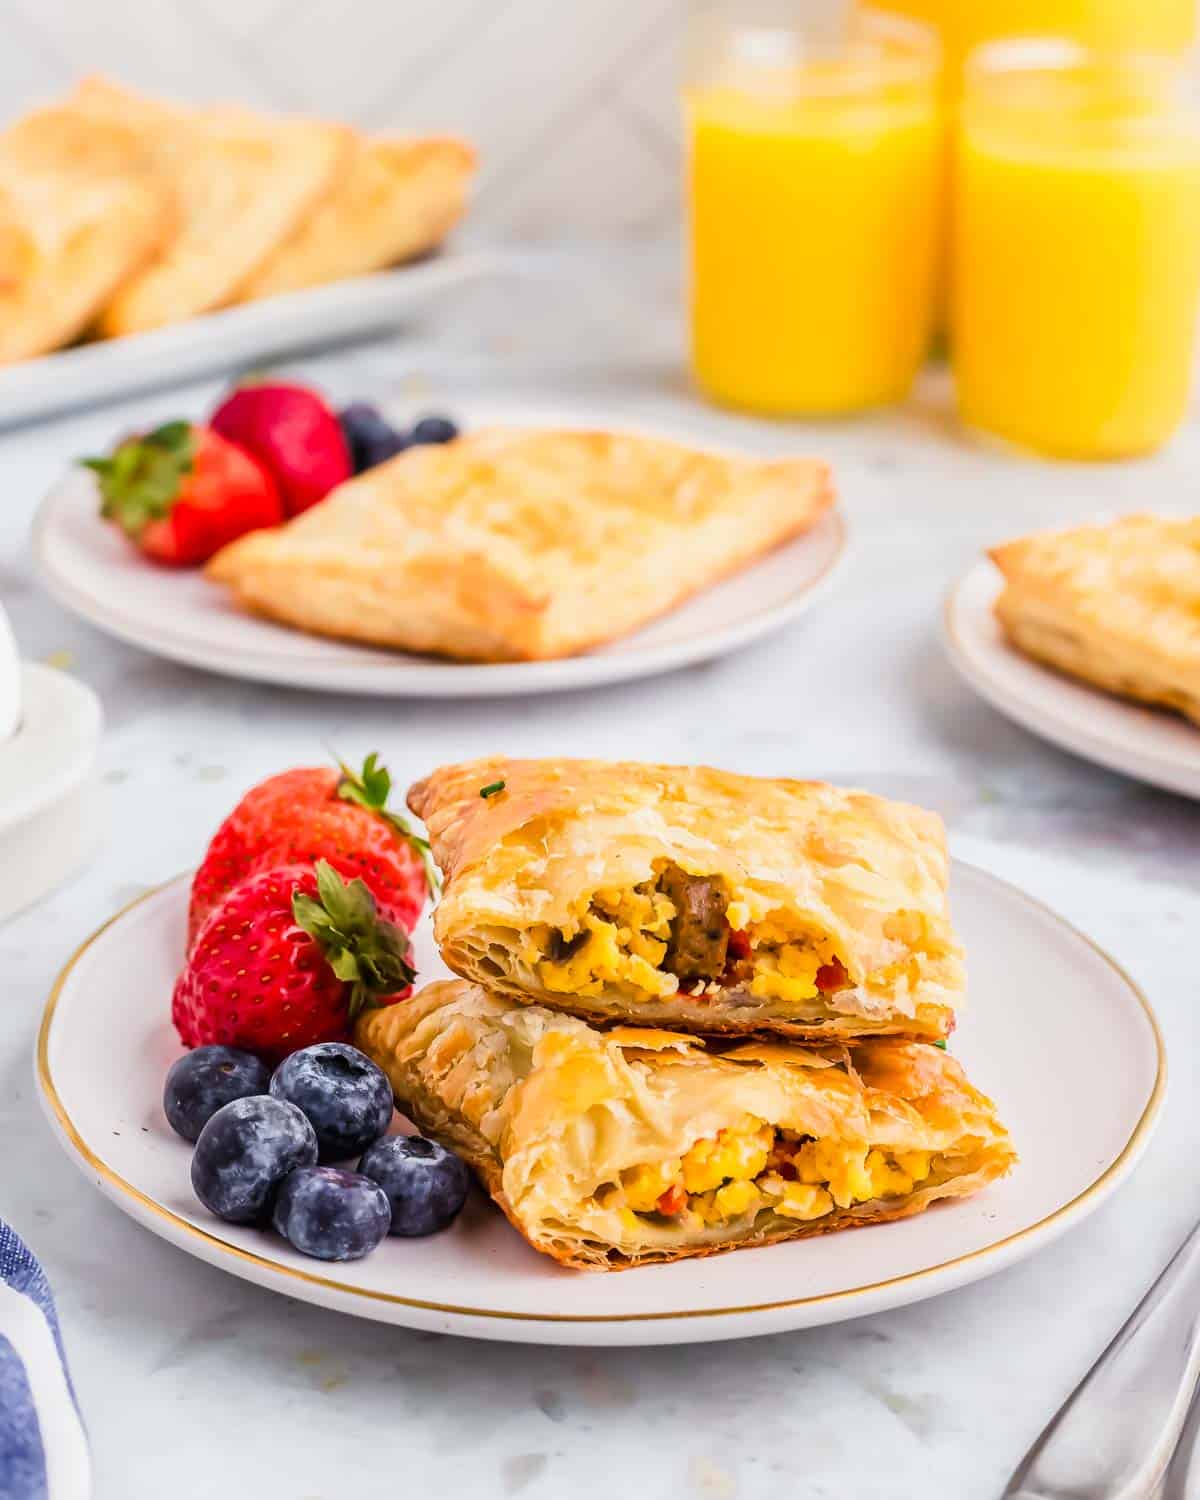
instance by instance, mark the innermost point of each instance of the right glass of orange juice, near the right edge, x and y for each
(1076, 248)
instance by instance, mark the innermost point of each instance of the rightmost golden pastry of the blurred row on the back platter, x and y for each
(398, 199)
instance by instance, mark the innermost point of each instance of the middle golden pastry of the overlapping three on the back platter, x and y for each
(244, 184)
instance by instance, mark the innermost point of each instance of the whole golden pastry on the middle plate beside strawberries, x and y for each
(521, 545)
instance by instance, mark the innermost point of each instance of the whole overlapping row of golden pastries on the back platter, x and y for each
(122, 214)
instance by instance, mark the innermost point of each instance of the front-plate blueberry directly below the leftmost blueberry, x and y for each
(245, 1153)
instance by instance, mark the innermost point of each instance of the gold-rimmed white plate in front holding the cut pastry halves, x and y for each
(1081, 1120)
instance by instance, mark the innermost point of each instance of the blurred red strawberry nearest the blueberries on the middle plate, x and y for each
(293, 434)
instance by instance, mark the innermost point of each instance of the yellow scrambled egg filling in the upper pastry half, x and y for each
(623, 937)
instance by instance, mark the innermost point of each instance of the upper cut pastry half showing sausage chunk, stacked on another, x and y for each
(694, 898)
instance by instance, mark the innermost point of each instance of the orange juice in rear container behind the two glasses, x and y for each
(1129, 25)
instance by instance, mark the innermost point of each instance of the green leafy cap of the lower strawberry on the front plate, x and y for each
(364, 950)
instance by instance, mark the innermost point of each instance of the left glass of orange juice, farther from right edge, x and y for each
(815, 205)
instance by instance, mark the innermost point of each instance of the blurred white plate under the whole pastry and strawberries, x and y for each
(94, 572)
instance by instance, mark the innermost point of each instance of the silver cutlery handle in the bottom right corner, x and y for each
(1118, 1432)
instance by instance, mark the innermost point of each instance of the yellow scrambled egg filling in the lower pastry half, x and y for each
(751, 1168)
